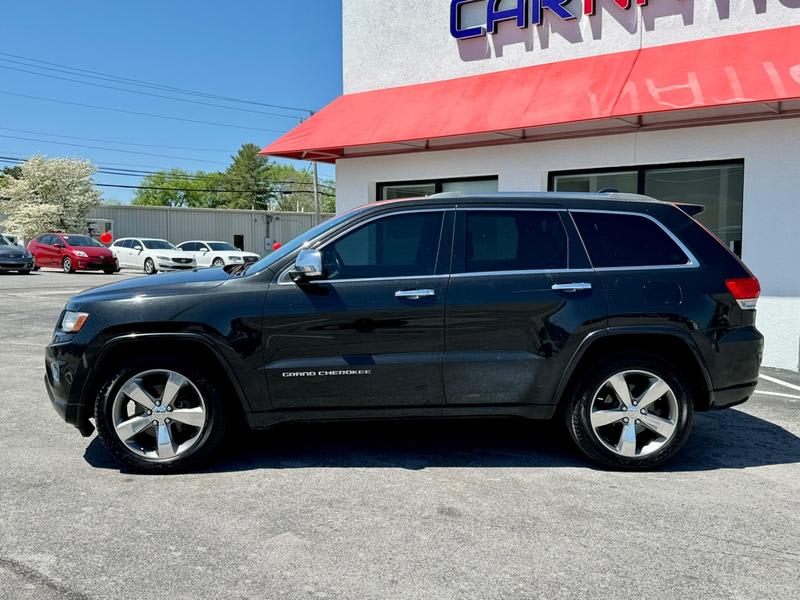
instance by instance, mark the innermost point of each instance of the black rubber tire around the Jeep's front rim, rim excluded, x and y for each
(210, 438)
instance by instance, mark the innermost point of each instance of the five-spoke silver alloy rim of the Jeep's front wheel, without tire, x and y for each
(159, 414)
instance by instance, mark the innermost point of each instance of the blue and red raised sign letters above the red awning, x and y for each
(524, 13)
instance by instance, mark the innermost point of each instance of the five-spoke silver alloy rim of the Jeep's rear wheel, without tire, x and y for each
(634, 413)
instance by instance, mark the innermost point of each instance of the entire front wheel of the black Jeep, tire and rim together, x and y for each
(160, 416)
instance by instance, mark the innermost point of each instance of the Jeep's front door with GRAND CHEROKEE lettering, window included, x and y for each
(371, 333)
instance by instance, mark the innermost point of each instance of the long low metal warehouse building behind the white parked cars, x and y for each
(250, 230)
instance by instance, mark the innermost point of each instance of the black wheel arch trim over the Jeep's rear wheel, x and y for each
(671, 344)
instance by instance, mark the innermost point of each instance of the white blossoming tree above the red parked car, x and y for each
(50, 194)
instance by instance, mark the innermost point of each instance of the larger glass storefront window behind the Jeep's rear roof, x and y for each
(719, 187)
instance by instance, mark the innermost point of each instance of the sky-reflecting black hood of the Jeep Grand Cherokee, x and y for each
(148, 286)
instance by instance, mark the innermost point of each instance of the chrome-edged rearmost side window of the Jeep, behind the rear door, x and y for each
(619, 240)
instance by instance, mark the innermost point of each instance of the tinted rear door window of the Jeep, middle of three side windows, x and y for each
(514, 240)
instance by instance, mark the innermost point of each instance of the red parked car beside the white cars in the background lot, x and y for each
(72, 252)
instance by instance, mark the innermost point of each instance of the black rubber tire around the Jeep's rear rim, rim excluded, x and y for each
(577, 412)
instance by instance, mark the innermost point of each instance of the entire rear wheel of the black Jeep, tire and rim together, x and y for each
(632, 411)
